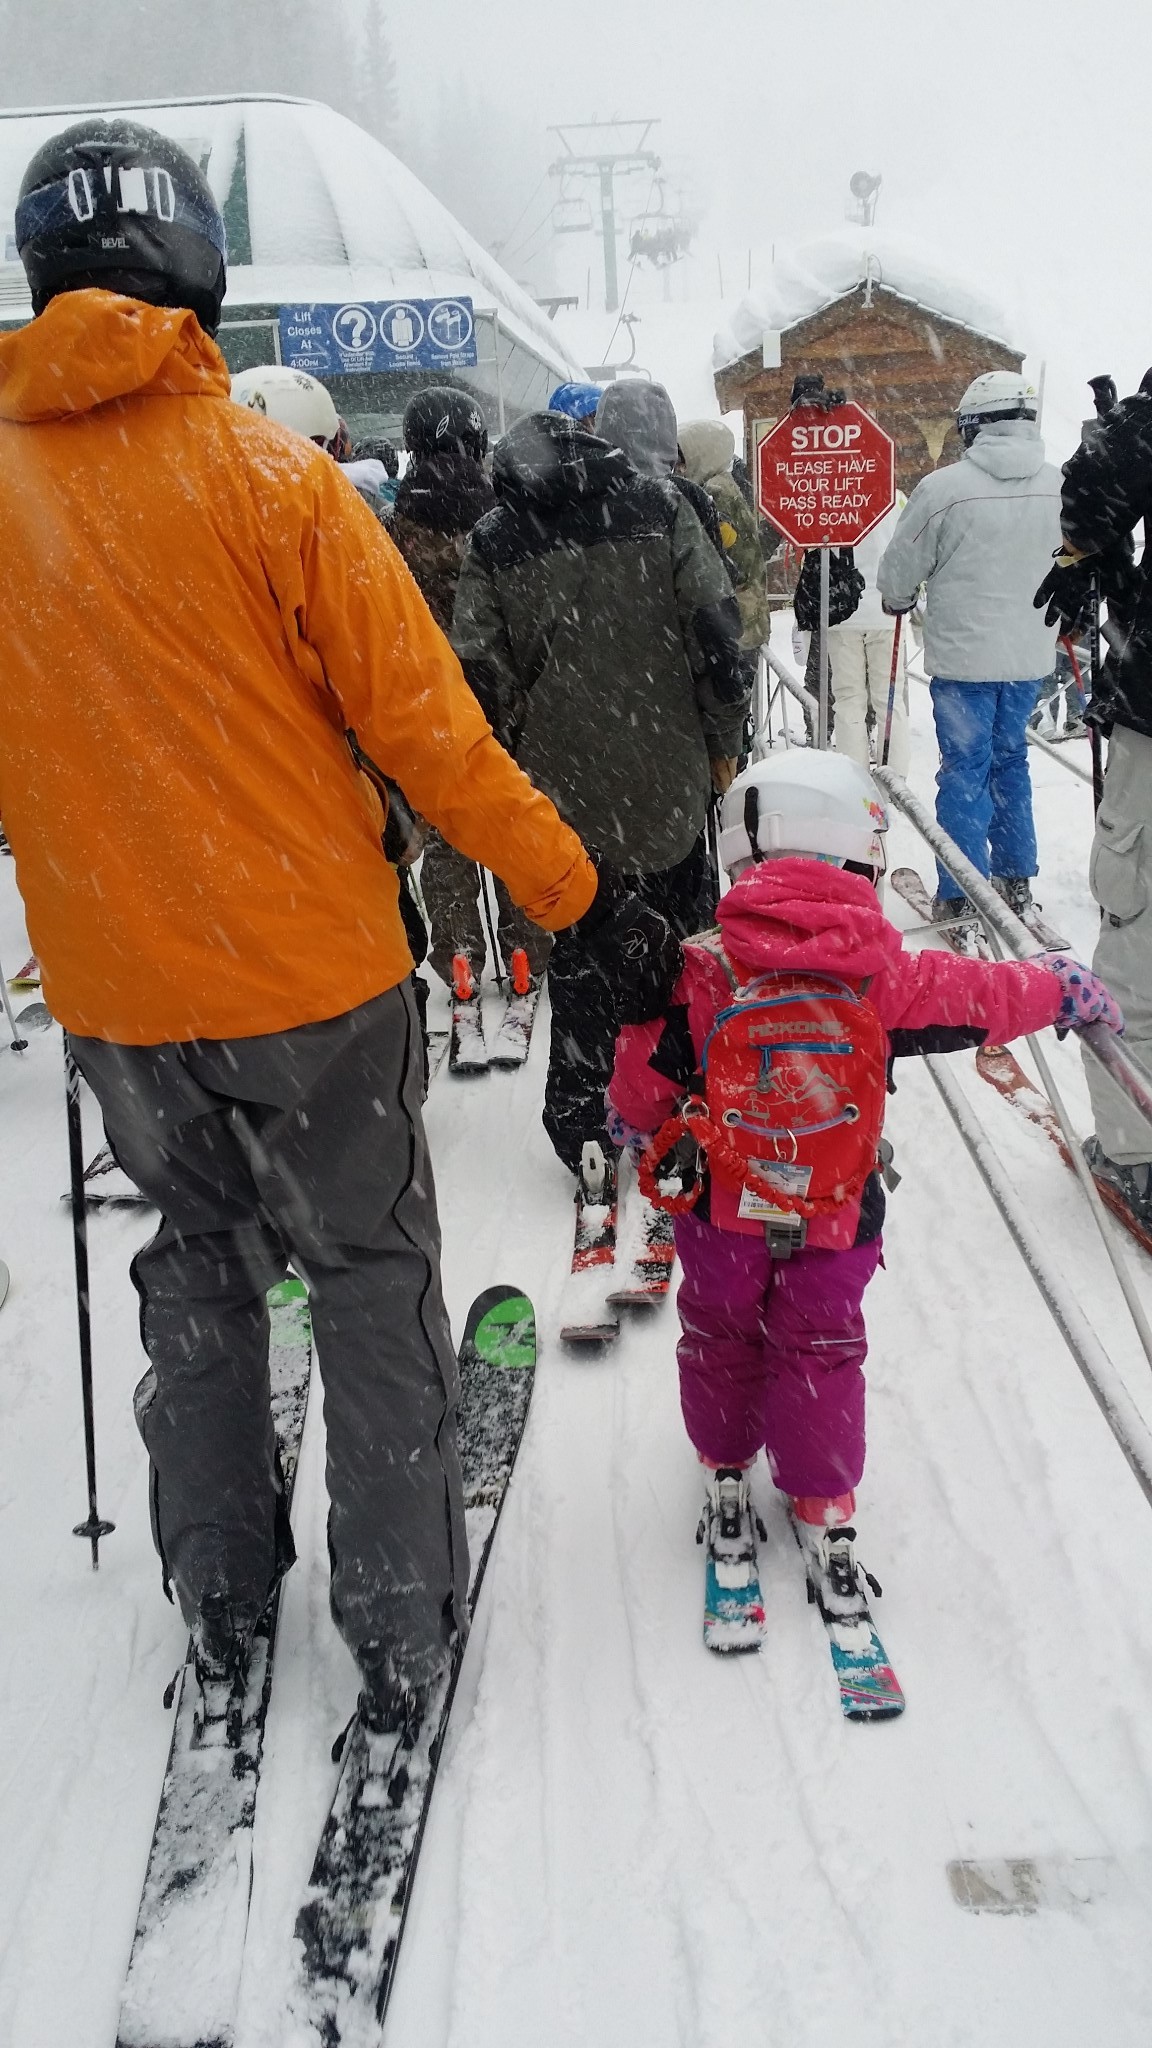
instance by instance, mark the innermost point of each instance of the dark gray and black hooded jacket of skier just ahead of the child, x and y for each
(600, 632)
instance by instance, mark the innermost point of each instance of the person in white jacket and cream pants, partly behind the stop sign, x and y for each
(860, 652)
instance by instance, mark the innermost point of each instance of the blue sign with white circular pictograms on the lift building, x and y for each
(380, 335)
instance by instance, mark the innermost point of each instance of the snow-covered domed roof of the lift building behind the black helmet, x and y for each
(331, 212)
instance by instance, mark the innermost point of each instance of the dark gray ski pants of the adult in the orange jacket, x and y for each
(308, 1146)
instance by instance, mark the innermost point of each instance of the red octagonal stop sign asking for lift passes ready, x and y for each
(827, 478)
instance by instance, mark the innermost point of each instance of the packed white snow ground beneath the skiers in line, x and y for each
(634, 1842)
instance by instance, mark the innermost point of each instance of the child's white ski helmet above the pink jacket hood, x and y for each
(805, 802)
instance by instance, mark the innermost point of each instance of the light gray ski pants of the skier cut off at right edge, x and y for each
(1120, 878)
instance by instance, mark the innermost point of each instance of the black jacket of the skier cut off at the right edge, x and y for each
(1108, 490)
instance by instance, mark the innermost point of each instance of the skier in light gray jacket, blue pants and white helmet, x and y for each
(979, 536)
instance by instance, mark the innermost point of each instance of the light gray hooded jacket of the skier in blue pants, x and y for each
(981, 536)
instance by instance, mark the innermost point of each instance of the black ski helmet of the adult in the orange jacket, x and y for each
(118, 206)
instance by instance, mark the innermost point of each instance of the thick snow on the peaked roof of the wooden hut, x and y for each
(817, 273)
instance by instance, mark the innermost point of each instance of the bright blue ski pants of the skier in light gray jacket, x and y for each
(985, 785)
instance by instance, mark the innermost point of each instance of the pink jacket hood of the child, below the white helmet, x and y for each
(805, 914)
